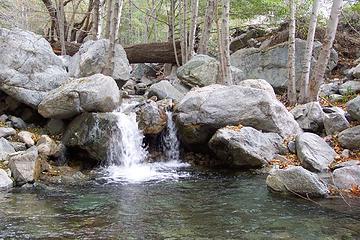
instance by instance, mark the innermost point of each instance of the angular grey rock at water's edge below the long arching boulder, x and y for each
(246, 147)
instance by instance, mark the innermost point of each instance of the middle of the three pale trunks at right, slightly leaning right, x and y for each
(304, 90)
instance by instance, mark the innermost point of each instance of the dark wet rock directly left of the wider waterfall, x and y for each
(91, 132)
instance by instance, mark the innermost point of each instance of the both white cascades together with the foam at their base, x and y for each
(127, 155)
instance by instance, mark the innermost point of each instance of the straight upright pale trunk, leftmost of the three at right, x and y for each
(291, 93)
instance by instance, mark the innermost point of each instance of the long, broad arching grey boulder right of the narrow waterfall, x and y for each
(202, 111)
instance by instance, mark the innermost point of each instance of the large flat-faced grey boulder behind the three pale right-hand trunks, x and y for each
(271, 63)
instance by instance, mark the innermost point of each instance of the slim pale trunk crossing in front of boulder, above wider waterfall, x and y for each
(109, 68)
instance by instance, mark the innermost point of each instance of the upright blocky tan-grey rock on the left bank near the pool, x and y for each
(22, 166)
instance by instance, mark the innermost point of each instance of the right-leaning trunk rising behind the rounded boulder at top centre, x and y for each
(209, 18)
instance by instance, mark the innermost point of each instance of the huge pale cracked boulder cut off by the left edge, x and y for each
(28, 66)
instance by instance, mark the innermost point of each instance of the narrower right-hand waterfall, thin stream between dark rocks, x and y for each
(169, 140)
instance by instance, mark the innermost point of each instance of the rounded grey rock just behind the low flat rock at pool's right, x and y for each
(313, 152)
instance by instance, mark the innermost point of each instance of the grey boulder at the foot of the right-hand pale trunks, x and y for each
(309, 116)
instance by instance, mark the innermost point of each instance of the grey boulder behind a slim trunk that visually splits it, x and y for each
(92, 58)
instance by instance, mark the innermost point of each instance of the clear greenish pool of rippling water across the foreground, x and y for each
(203, 205)
